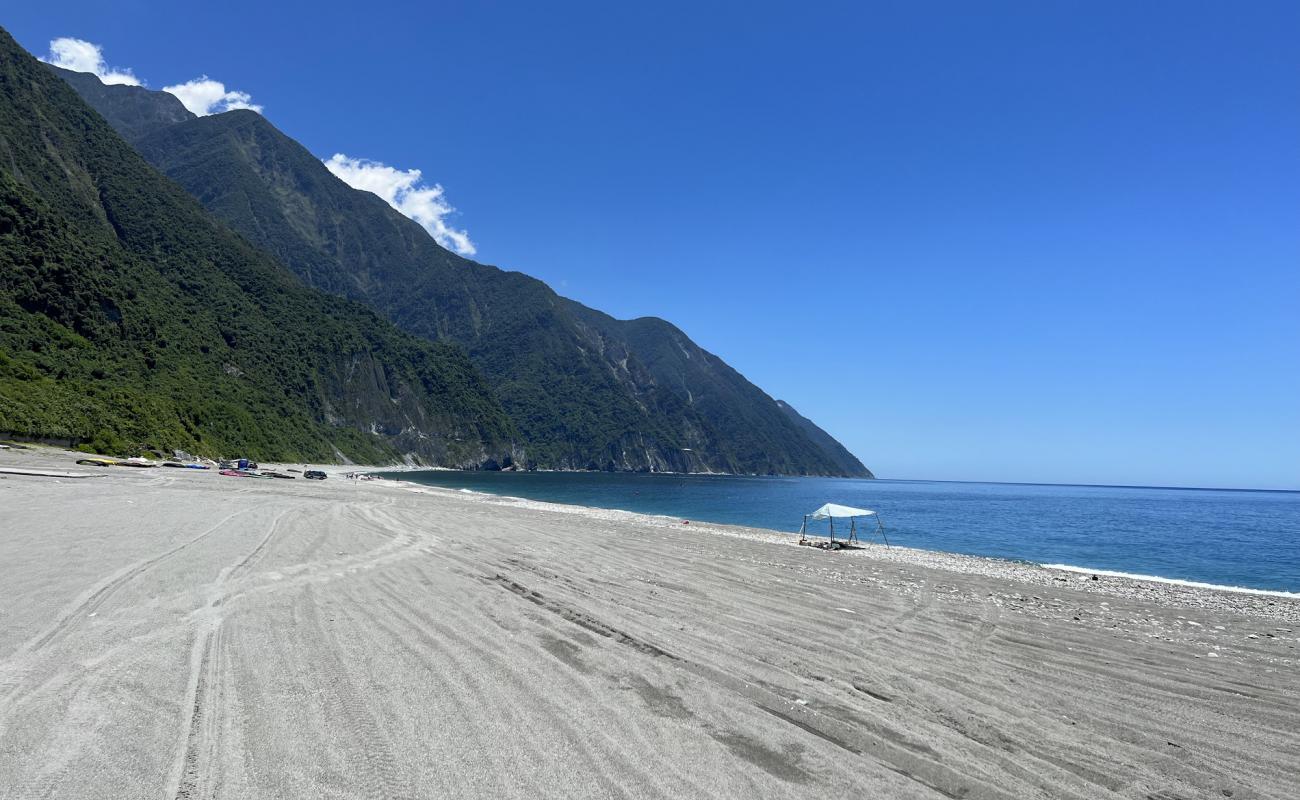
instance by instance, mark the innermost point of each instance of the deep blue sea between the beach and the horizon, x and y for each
(1225, 538)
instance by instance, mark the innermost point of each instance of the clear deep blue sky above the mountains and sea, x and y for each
(1033, 241)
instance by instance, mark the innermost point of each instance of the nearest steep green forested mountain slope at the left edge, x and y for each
(131, 318)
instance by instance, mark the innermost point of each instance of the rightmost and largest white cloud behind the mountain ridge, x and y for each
(402, 189)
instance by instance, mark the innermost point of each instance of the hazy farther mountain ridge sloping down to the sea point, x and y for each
(586, 391)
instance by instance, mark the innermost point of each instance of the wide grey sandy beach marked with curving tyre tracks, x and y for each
(181, 634)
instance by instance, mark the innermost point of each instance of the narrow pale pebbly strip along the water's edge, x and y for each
(965, 563)
